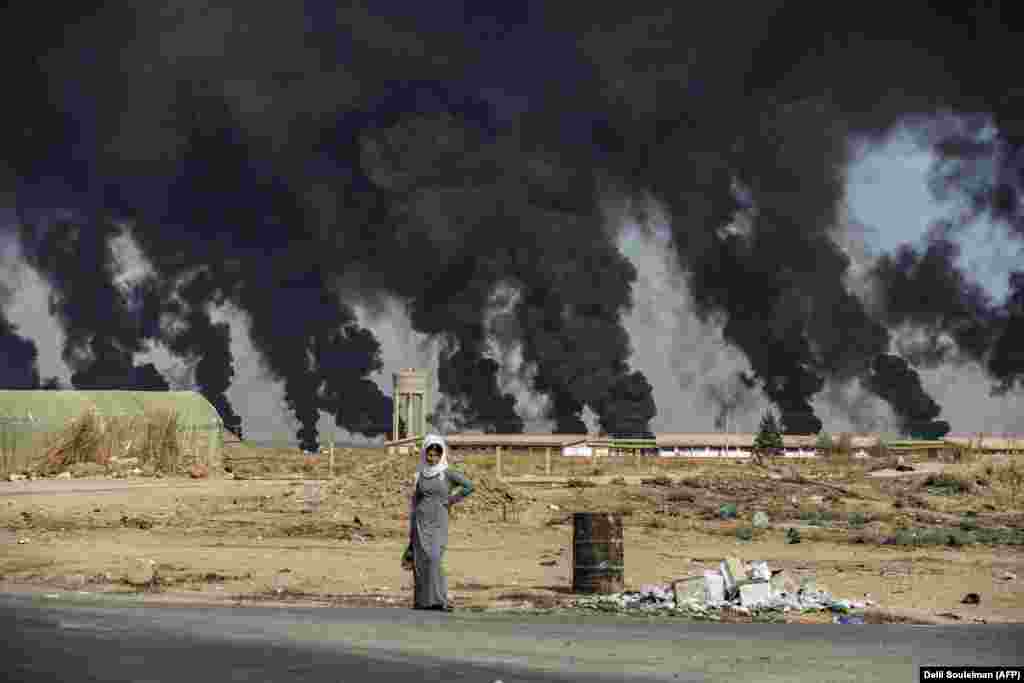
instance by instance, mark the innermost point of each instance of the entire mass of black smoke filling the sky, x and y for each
(434, 155)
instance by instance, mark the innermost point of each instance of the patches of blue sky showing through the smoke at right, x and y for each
(887, 191)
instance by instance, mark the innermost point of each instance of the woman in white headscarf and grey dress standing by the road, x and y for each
(429, 522)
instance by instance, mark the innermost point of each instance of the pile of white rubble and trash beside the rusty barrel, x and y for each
(745, 588)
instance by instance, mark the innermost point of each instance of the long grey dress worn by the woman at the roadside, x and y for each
(430, 535)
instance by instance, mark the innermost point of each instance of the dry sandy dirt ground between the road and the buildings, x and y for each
(252, 540)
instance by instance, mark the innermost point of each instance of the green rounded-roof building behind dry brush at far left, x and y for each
(30, 419)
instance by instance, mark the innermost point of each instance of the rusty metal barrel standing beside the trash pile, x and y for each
(598, 552)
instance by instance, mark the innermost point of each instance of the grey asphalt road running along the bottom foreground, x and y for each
(93, 638)
